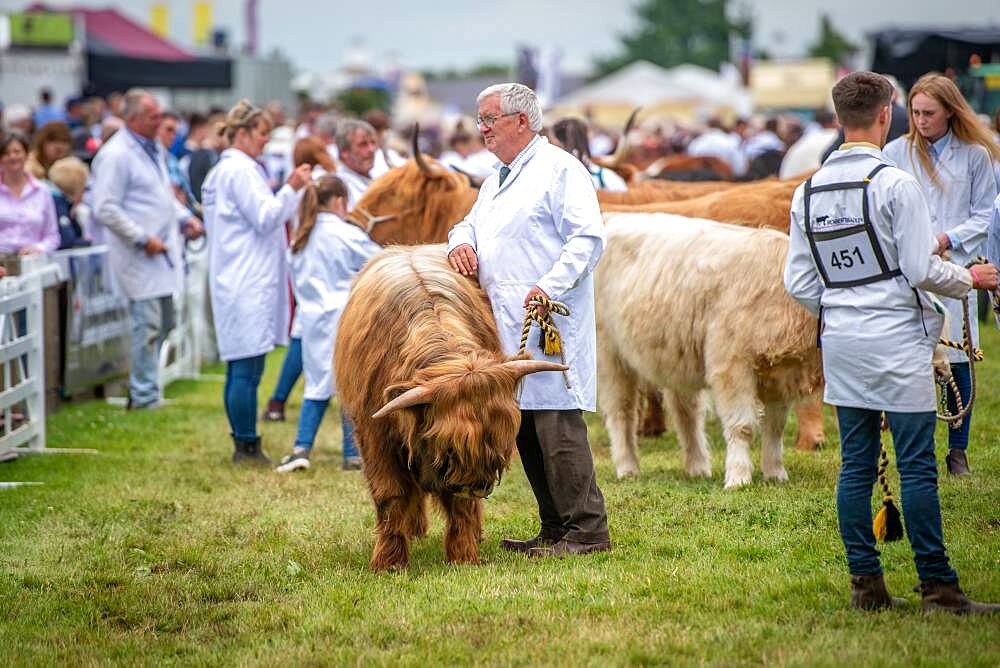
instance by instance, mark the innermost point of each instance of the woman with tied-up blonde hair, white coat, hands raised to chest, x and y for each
(248, 273)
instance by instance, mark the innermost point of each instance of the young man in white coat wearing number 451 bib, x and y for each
(860, 256)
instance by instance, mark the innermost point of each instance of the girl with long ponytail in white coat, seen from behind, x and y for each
(325, 254)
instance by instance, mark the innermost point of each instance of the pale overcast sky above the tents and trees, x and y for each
(317, 34)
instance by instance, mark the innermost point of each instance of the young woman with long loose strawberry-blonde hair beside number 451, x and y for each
(950, 153)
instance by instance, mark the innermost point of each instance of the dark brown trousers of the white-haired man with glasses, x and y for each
(557, 460)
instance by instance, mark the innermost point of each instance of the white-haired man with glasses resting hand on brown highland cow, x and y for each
(536, 230)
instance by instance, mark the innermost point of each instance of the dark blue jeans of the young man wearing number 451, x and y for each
(913, 440)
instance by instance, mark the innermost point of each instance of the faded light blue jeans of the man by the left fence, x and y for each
(152, 320)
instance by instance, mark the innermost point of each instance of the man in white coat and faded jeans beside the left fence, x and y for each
(135, 200)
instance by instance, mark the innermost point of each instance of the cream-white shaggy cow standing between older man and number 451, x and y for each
(688, 305)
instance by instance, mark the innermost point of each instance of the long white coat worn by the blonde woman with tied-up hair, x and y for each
(248, 273)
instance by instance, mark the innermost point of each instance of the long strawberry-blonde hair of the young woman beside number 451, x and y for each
(963, 123)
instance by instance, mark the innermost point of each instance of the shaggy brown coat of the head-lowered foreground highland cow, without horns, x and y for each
(411, 320)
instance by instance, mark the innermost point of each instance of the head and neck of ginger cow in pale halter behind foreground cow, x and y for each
(426, 205)
